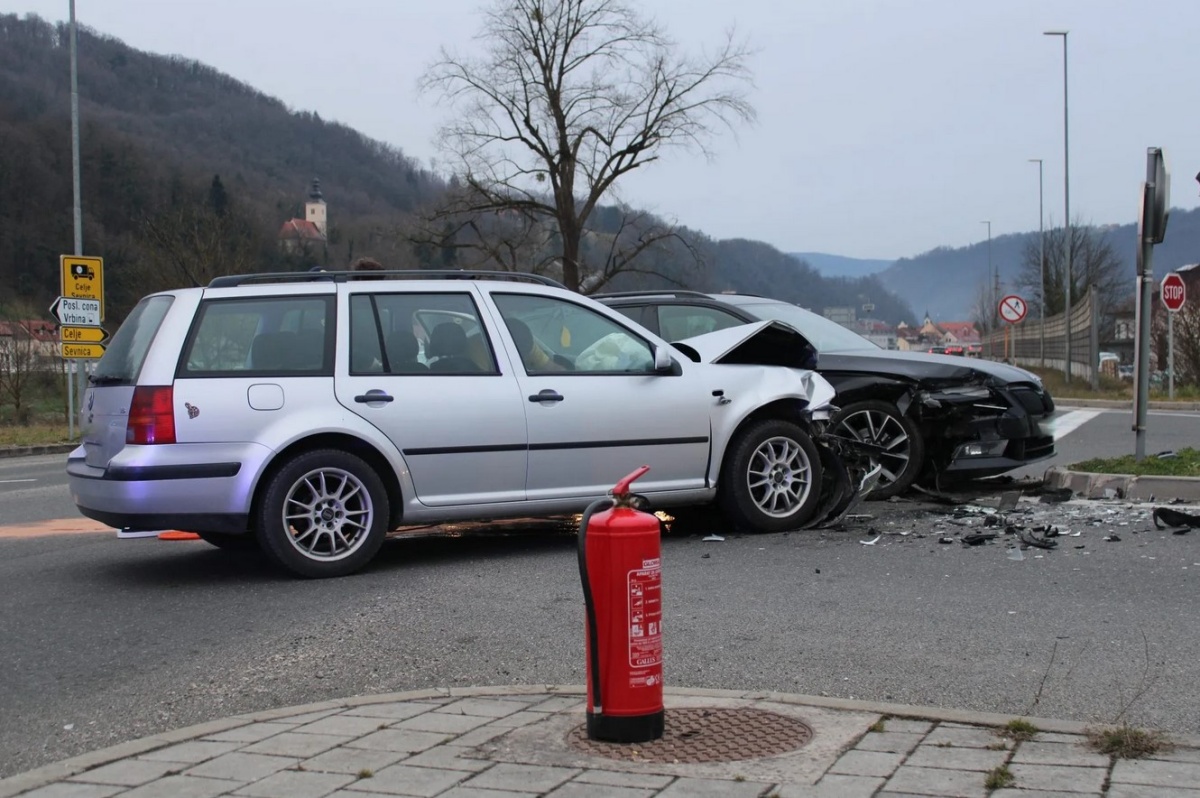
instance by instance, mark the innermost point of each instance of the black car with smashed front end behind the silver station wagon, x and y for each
(933, 419)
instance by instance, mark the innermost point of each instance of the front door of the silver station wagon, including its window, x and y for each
(595, 406)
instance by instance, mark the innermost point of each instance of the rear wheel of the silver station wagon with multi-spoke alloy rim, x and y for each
(323, 514)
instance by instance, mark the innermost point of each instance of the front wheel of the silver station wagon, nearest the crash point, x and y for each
(771, 479)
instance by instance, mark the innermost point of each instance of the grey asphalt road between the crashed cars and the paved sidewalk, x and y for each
(107, 641)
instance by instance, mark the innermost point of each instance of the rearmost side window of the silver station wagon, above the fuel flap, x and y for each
(275, 337)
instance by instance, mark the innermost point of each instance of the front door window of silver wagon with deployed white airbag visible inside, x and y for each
(555, 335)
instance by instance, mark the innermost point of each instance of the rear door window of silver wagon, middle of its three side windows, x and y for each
(418, 334)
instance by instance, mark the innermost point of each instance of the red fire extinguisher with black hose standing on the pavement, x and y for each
(621, 567)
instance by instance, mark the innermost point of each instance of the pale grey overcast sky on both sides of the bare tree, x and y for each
(886, 128)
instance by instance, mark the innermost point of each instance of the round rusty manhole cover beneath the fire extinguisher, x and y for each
(698, 735)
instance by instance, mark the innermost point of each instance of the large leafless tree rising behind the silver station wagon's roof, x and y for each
(571, 97)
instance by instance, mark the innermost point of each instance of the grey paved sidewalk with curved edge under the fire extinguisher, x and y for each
(524, 742)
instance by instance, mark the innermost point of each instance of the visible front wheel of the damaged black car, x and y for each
(884, 425)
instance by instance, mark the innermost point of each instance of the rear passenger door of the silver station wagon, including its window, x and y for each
(421, 367)
